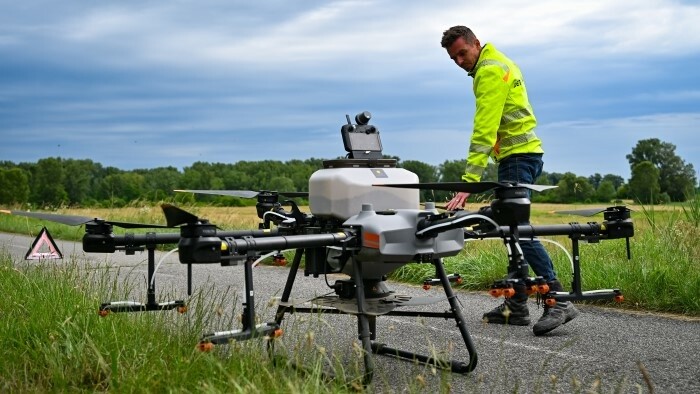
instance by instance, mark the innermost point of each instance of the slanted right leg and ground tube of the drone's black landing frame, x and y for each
(456, 312)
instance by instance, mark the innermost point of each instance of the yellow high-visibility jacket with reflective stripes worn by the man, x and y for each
(504, 122)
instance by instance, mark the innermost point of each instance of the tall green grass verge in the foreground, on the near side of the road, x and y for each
(54, 341)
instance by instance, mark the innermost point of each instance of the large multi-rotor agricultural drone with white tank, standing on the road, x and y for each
(365, 222)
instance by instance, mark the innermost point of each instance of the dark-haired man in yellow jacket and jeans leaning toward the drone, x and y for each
(504, 126)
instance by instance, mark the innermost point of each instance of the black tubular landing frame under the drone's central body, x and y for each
(367, 327)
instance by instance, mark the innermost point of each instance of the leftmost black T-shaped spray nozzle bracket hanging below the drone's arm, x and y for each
(151, 303)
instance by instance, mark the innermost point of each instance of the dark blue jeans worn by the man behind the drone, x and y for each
(525, 168)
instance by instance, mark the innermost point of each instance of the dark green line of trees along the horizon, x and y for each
(658, 175)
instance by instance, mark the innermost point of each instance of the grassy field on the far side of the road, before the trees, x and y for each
(663, 274)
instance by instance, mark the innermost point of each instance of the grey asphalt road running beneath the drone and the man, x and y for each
(603, 350)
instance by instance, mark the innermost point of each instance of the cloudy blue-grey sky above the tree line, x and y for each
(145, 84)
